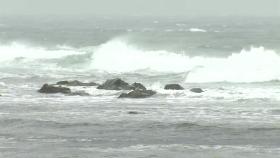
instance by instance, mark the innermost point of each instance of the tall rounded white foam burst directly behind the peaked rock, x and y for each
(118, 56)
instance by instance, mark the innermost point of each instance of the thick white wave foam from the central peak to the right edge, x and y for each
(254, 65)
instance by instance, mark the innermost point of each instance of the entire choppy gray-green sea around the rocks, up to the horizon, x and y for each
(235, 60)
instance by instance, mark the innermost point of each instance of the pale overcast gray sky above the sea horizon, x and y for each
(142, 7)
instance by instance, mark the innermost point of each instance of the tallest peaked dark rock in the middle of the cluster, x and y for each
(115, 84)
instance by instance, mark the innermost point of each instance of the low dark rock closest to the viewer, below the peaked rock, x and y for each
(138, 94)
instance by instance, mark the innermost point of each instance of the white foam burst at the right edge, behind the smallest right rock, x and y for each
(254, 65)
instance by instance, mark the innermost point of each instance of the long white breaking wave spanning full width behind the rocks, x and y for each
(117, 56)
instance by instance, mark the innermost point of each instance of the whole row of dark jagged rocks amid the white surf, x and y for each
(136, 90)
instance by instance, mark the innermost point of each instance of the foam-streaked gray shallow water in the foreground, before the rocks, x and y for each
(168, 124)
